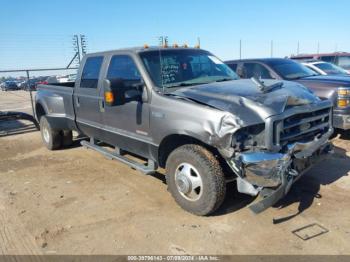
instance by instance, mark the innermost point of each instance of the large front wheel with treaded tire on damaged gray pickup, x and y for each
(195, 179)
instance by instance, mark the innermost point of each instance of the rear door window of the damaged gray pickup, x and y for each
(91, 72)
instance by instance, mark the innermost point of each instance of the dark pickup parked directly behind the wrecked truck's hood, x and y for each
(333, 87)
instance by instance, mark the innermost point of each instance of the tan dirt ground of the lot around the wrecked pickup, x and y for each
(75, 201)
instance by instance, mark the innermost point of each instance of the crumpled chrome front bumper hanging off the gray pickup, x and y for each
(272, 174)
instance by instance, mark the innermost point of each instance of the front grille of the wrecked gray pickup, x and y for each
(304, 126)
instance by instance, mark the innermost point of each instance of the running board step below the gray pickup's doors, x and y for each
(147, 169)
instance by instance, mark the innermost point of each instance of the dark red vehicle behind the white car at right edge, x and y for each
(341, 59)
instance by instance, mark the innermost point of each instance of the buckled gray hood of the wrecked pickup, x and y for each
(244, 99)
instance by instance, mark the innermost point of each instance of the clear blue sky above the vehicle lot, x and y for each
(38, 33)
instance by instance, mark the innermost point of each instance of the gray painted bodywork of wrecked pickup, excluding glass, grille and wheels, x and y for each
(222, 108)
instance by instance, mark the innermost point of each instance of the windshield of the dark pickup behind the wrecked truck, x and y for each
(291, 70)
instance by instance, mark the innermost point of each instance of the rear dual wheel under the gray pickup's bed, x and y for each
(51, 138)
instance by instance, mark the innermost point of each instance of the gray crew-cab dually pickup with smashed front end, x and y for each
(184, 110)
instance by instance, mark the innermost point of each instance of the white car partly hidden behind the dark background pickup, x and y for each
(324, 68)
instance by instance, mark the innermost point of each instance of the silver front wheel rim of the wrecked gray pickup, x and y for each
(188, 181)
